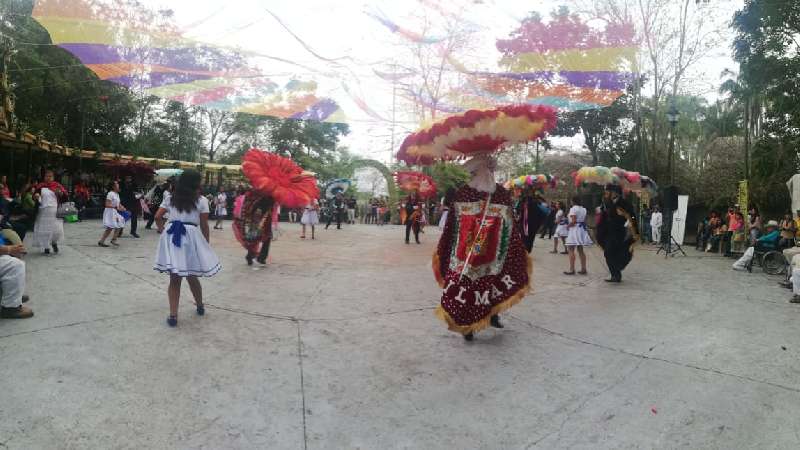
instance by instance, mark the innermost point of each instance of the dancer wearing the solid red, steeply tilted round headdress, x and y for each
(276, 181)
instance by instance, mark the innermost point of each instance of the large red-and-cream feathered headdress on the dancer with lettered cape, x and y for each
(476, 133)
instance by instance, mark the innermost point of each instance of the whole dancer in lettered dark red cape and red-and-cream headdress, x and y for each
(480, 262)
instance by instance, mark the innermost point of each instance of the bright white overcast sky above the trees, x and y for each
(341, 44)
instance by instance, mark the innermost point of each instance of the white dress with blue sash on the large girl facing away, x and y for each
(182, 249)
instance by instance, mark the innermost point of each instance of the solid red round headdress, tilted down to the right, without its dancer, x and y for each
(279, 178)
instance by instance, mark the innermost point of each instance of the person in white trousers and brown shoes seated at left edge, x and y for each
(12, 282)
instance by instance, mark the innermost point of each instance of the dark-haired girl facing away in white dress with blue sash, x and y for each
(184, 250)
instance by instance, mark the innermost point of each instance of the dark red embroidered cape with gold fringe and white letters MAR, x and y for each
(497, 273)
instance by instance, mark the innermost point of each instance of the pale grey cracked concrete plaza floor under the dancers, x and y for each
(334, 345)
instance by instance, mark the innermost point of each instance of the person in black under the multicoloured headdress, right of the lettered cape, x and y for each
(612, 235)
